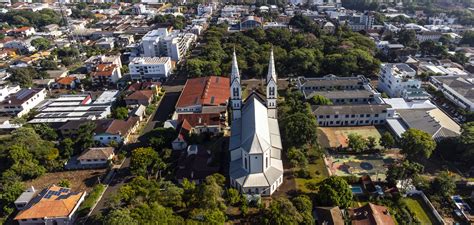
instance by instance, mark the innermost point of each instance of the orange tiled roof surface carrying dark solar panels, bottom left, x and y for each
(51, 203)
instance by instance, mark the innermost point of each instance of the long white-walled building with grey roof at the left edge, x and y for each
(20, 103)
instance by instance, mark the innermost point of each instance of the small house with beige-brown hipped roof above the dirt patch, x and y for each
(96, 156)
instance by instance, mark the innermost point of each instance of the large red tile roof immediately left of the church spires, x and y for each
(209, 91)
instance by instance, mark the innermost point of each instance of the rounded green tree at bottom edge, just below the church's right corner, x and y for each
(281, 211)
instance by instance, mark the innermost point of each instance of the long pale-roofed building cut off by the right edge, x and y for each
(458, 89)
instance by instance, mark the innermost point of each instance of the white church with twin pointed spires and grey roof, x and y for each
(255, 145)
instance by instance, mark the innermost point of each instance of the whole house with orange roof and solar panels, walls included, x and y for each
(53, 205)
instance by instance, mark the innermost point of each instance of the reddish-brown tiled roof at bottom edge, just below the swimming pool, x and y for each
(371, 214)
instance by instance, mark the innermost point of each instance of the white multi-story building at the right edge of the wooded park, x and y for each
(395, 78)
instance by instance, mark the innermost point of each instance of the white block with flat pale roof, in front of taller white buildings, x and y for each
(150, 68)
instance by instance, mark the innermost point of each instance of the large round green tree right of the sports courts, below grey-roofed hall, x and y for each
(417, 143)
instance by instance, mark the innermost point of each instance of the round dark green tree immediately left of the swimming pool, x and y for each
(334, 191)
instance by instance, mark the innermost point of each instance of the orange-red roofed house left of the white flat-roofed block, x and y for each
(105, 74)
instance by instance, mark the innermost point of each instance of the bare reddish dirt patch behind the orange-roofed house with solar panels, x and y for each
(81, 180)
